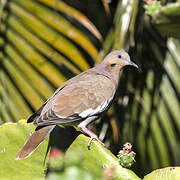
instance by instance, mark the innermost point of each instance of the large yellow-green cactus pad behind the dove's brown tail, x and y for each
(12, 138)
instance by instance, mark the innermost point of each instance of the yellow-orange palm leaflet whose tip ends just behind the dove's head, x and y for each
(60, 24)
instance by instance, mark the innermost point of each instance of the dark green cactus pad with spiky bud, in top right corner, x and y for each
(165, 17)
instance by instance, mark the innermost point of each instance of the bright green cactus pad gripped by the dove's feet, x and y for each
(98, 157)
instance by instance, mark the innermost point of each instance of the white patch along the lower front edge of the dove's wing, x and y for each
(90, 111)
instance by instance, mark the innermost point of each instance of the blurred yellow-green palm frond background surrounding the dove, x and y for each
(45, 42)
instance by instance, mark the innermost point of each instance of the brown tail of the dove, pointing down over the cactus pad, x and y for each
(34, 141)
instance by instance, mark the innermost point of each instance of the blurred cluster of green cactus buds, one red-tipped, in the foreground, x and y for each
(66, 168)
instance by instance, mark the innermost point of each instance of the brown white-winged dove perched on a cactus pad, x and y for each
(80, 101)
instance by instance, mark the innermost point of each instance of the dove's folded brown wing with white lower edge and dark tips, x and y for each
(89, 94)
